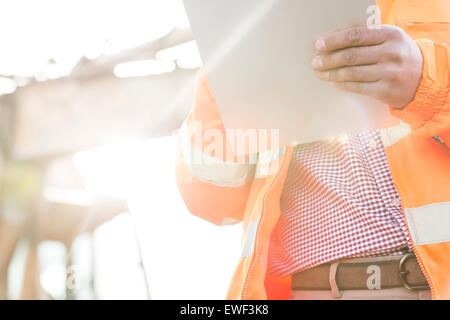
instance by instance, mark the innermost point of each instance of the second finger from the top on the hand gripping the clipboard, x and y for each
(347, 57)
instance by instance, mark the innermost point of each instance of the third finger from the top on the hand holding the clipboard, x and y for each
(350, 74)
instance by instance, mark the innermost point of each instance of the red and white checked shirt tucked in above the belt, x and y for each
(339, 201)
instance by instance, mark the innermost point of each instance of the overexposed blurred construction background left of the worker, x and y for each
(91, 95)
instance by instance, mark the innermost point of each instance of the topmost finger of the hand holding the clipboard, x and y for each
(353, 37)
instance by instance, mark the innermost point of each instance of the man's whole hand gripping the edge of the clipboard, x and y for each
(384, 63)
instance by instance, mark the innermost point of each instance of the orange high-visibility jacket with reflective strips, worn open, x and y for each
(418, 153)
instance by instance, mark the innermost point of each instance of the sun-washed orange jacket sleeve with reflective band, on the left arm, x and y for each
(214, 185)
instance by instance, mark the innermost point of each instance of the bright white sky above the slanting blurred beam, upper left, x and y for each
(65, 30)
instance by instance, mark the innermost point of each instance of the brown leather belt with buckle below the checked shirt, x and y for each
(355, 274)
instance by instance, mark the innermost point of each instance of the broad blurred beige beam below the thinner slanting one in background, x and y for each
(63, 116)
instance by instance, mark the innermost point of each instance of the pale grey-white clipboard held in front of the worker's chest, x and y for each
(257, 55)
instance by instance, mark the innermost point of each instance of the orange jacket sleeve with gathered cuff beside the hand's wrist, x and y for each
(429, 113)
